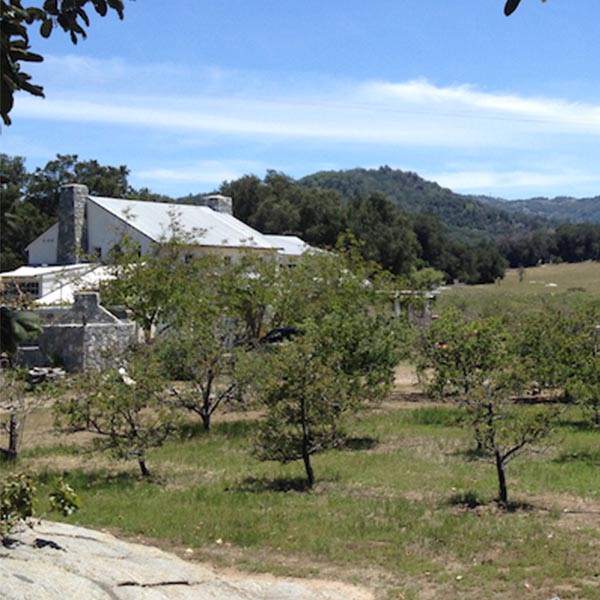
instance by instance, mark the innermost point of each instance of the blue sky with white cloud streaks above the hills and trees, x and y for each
(190, 93)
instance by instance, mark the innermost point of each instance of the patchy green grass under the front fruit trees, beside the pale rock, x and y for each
(390, 510)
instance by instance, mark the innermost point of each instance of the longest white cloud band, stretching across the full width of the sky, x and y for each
(413, 113)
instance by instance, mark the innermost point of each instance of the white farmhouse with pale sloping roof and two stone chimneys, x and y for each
(90, 227)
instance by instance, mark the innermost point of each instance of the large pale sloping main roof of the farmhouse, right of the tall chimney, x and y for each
(206, 226)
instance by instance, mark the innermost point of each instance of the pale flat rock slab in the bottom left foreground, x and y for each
(56, 561)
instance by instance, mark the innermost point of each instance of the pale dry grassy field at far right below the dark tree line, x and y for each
(561, 283)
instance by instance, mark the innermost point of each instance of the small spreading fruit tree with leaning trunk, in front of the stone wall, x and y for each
(125, 407)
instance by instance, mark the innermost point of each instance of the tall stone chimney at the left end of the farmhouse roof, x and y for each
(72, 242)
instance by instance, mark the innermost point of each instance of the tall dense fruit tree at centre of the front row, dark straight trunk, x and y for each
(343, 357)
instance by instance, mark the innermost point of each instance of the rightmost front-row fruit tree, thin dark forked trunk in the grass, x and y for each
(477, 360)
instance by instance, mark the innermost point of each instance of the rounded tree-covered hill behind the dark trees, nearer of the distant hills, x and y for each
(412, 193)
